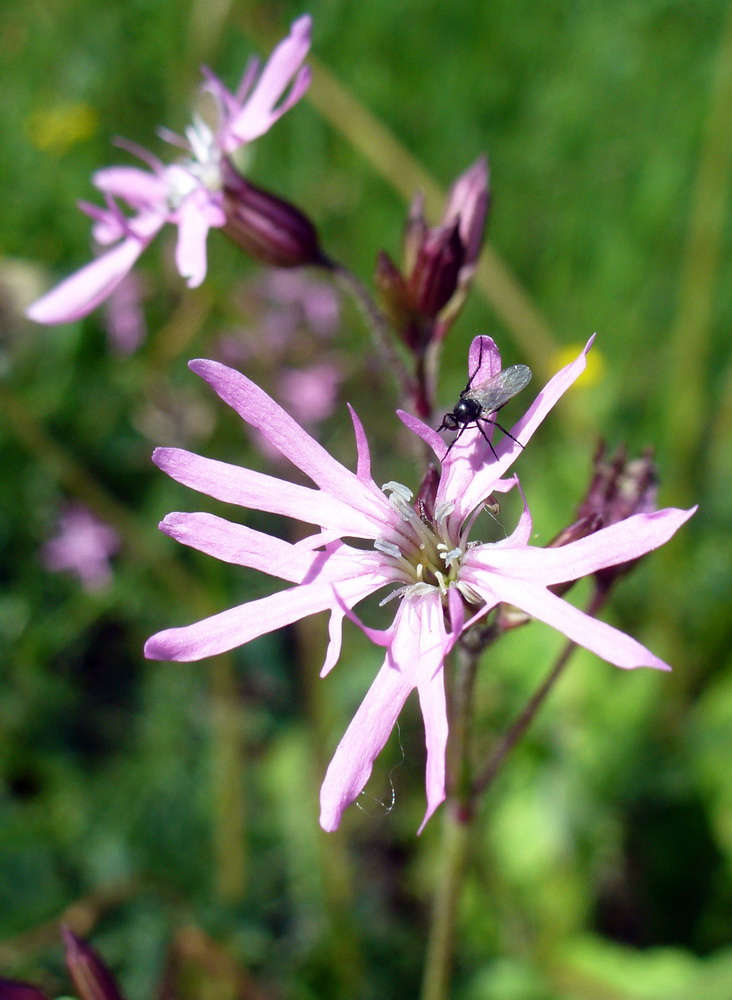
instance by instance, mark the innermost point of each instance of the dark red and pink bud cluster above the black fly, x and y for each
(423, 300)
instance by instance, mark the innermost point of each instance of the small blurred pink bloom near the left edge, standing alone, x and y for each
(83, 546)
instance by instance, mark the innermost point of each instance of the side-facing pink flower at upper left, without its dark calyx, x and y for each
(186, 194)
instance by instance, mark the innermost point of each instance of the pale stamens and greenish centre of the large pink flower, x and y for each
(420, 548)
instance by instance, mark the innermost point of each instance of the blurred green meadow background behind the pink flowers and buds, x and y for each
(169, 812)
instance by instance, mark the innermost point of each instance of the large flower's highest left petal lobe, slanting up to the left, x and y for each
(260, 411)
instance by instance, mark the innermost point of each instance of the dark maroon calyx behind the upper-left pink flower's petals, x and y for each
(267, 227)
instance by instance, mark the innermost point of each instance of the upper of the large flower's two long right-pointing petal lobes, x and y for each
(611, 546)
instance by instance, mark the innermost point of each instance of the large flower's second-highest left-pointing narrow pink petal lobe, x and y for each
(255, 490)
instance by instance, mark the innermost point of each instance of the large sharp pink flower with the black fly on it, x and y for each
(443, 582)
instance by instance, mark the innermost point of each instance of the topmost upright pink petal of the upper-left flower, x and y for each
(259, 111)
